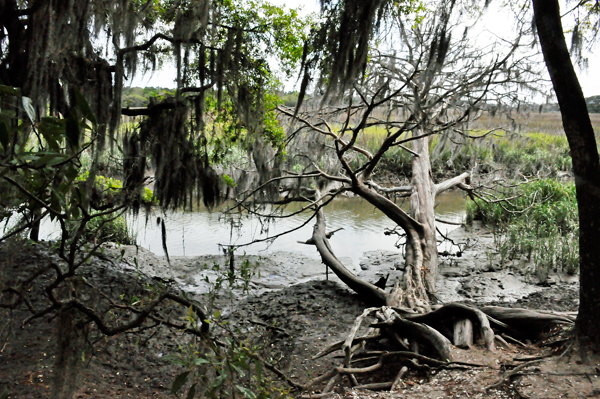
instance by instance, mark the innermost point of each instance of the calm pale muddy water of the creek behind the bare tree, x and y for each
(200, 233)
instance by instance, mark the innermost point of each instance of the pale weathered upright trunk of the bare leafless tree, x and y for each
(422, 203)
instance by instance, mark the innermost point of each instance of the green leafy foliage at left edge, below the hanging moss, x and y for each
(43, 175)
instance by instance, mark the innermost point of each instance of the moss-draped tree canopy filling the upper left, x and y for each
(222, 51)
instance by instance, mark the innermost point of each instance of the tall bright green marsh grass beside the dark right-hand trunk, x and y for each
(540, 224)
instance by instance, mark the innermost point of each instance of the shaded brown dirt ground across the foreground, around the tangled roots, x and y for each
(308, 316)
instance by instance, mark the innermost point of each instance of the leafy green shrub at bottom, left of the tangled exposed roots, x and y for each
(234, 366)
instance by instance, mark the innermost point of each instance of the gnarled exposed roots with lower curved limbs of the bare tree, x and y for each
(416, 338)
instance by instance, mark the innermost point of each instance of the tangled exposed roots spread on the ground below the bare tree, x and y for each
(432, 337)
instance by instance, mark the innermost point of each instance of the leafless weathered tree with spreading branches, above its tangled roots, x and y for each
(419, 84)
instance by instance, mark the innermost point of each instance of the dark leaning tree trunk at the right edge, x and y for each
(586, 166)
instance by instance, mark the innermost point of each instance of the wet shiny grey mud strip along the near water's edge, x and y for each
(472, 274)
